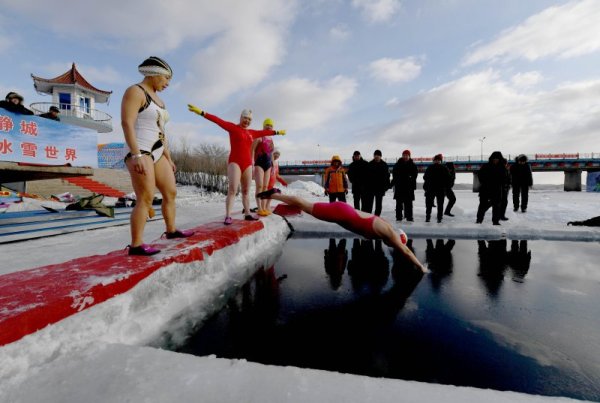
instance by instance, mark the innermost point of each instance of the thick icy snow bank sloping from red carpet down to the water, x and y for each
(159, 311)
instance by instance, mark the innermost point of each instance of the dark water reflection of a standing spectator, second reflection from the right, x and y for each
(493, 262)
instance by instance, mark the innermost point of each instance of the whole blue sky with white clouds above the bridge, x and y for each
(430, 76)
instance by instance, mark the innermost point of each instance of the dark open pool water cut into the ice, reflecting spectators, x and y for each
(506, 315)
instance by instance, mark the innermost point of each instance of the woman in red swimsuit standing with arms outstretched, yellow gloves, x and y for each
(239, 168)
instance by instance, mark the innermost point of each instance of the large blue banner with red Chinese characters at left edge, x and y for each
(32, 139)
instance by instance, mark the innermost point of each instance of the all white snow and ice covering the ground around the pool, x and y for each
(106, 353)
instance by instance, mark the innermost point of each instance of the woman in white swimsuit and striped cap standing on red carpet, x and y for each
(143, 117)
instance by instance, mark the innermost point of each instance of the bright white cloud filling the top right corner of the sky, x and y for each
(563, 31)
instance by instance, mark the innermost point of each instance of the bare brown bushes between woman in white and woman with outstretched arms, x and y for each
(204, 166)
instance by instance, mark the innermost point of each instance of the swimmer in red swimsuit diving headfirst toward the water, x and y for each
(368, 225)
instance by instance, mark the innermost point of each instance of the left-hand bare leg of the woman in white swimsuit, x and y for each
(143, 186)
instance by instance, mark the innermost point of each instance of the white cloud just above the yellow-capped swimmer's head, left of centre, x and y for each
(299, 103)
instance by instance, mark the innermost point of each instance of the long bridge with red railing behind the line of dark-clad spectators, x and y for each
(571, 164)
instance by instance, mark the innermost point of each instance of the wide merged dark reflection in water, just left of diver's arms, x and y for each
(369, 268)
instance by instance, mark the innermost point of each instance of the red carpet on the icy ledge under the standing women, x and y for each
(35, 298)
